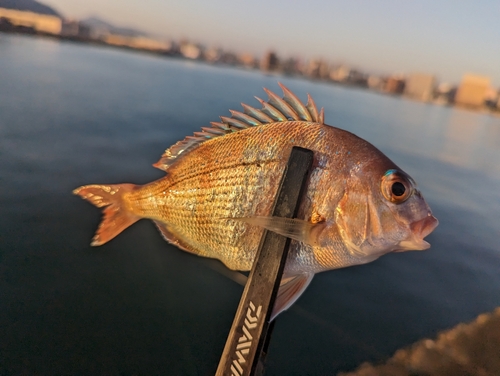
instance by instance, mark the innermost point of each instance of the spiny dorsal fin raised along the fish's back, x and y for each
(274, 110)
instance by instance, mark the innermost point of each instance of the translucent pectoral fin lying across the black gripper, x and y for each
(293, 228)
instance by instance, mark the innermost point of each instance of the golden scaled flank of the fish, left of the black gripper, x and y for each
(240, 185)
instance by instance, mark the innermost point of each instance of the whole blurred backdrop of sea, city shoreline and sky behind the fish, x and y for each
(95, 91)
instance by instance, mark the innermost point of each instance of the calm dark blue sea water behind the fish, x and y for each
(74, 114)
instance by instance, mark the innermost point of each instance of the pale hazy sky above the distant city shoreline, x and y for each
(447, 38)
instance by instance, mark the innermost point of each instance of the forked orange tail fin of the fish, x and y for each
(116, 216)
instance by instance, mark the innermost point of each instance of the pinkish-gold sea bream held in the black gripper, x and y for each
(217, 196)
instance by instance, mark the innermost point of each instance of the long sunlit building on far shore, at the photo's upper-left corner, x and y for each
(43, 23)
